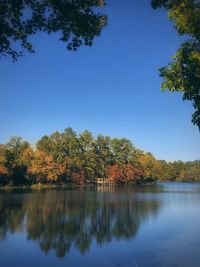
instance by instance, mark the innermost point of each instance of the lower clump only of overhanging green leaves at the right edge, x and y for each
(183, 75)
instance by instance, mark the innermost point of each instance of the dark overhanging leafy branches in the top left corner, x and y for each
(77, 23)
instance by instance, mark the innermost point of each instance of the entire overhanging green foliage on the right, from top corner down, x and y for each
(183, 73)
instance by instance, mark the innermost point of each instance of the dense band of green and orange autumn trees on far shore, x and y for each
(68, 157)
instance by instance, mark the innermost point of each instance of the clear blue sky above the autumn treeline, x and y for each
(112, 88)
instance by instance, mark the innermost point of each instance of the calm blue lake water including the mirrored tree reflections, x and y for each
(144, 226)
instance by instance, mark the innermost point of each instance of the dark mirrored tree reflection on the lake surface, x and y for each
(60, 219)
